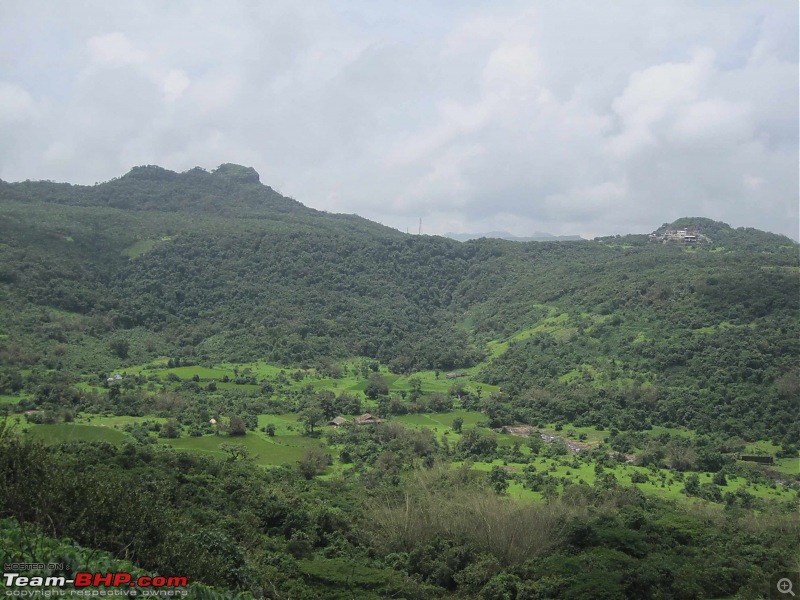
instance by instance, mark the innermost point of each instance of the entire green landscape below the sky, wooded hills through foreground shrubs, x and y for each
(667, 357)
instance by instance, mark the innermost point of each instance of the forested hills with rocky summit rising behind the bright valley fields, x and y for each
(93, 278)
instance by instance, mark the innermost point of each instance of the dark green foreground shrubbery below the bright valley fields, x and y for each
(422, 533)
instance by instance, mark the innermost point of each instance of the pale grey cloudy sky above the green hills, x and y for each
(588, 117)
